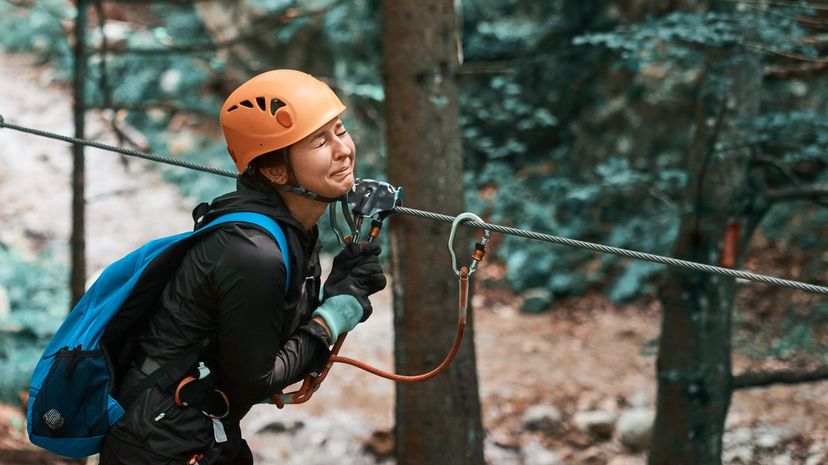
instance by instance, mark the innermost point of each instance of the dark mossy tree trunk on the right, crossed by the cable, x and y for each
(694, 366)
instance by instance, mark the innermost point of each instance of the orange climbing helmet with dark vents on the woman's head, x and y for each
(274, 110)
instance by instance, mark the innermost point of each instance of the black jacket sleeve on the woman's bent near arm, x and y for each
(249, 282)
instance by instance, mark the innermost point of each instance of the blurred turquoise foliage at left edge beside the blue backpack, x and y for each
(39, 297)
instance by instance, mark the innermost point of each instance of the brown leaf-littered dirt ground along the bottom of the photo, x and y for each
(586, 355)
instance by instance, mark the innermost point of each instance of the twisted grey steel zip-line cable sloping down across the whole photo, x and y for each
(738, 274)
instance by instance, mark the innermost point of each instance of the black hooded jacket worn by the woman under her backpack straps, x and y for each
(229, 293)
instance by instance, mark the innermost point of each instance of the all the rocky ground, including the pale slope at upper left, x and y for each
(570, 386)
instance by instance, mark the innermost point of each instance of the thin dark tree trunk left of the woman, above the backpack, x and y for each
(77, 277)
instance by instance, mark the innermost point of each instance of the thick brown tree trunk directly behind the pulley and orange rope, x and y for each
(437, 421)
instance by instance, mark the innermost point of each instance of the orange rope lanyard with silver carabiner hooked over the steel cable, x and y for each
(312, 382)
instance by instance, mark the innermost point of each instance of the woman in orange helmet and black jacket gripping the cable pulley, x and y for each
(227, 301)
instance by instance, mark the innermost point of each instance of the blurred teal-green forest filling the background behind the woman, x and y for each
(578, 118)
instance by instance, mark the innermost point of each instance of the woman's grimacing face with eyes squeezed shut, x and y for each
(324, 161)
